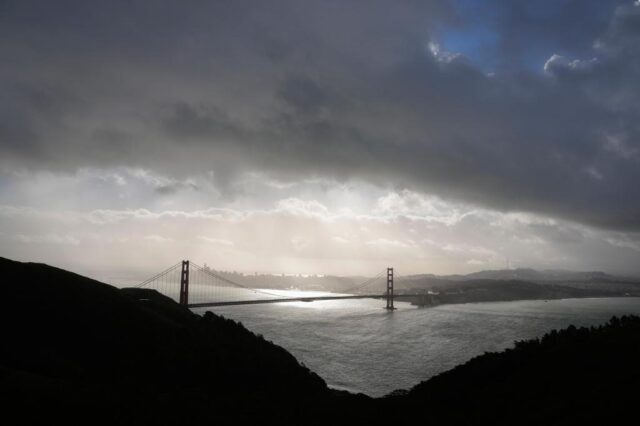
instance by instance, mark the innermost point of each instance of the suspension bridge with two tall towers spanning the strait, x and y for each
(195, 286)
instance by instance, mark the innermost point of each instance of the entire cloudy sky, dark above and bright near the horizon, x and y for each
(335, 137)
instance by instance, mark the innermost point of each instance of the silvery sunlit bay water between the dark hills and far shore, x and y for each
(358, 346)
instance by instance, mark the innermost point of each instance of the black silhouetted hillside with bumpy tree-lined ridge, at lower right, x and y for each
(572, 376)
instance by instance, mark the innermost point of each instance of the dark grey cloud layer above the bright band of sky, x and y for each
(338, 90)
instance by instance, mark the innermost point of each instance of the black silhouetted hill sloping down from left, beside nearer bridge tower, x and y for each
(71, 343)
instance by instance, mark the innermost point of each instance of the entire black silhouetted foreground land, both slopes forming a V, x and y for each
(78, 350)
